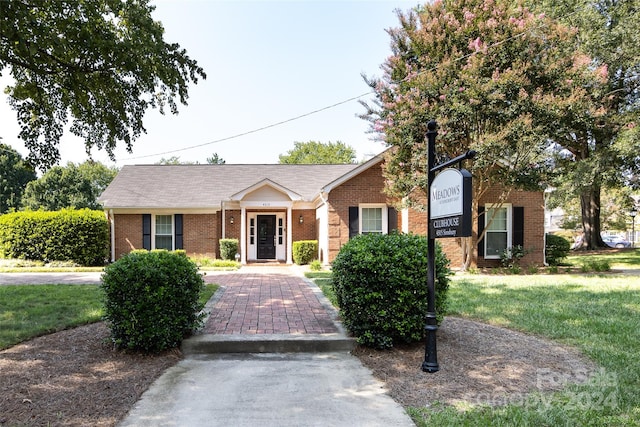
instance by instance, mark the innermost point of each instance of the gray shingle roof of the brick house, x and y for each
(206, 186)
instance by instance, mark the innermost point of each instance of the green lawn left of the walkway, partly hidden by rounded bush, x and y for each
(28, 311)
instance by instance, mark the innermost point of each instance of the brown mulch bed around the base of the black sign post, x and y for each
(479, 364)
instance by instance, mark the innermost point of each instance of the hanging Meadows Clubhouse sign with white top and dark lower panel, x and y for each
(450, 204)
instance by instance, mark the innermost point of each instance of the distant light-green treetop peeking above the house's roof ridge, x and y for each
(314, 152)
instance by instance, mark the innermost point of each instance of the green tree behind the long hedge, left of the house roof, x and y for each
(71, 186)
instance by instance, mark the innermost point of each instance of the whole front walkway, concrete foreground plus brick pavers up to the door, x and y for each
(272, 354)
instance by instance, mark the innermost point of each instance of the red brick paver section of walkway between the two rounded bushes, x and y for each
(263, 300)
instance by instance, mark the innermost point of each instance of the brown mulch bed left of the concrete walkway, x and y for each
(74, 378)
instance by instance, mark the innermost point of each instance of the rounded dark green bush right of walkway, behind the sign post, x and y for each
(380, 283)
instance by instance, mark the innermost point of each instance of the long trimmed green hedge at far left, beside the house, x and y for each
(81, 236)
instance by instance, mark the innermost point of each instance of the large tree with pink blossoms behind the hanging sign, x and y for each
(494, 75)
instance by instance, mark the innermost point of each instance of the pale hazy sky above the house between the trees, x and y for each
(266, 62)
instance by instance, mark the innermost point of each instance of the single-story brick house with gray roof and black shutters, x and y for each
(268, 207)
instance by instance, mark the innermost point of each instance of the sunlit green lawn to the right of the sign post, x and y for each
(598, 315)
